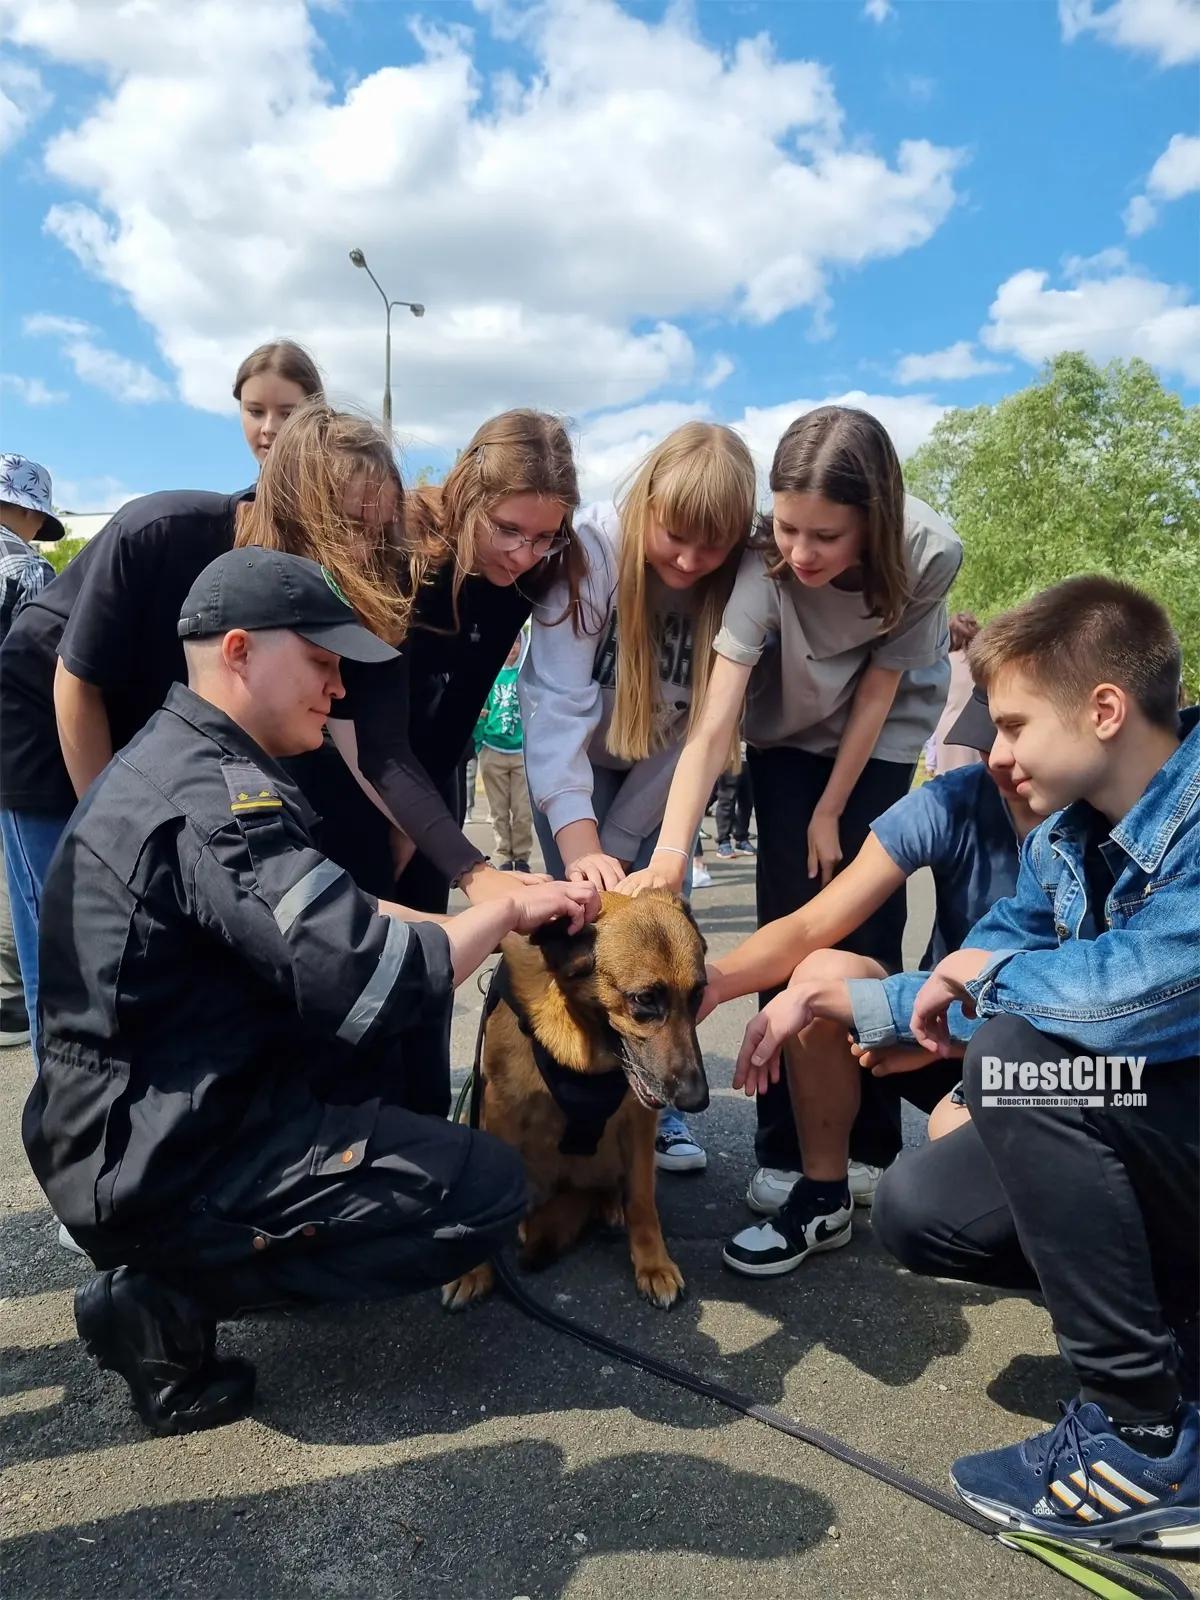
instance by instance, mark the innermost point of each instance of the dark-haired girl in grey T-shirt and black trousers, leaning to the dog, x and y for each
(838, 630)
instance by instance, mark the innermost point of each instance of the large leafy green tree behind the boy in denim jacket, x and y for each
(1090, 470)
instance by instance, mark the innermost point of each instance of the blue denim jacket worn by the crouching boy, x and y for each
(1137, 985)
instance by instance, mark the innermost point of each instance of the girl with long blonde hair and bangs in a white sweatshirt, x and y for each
(607, 700)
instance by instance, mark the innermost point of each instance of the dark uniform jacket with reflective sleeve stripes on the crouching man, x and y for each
(212, 986)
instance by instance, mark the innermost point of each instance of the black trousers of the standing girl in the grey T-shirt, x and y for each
(786, 790)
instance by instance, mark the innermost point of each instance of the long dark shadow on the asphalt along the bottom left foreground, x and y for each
(484, 1521)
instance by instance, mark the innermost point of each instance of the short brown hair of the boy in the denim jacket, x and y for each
(1084, 633)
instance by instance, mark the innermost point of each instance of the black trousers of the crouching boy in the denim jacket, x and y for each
(1098, 1207)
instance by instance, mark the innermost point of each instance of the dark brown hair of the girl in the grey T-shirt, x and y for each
(847, 457)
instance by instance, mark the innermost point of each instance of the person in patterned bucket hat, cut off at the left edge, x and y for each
(26, 514)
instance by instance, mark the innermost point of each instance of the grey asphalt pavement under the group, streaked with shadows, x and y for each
(404, 1452)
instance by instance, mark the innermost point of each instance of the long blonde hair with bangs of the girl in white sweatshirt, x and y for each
(700, 484)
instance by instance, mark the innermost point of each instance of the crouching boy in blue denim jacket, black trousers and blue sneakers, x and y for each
(1082, 1071)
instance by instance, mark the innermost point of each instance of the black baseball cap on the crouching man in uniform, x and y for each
(258, 590)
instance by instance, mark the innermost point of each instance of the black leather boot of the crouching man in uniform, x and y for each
(164, 1351)
